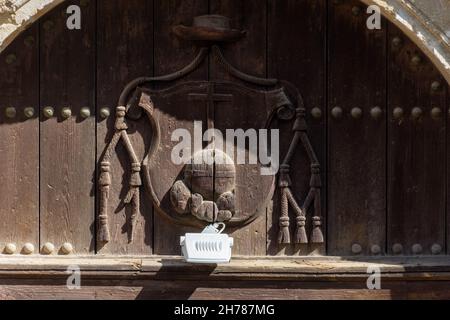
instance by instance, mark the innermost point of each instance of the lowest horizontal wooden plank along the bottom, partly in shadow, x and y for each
(226, 290)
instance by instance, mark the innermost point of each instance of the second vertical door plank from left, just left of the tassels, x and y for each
(67, 147)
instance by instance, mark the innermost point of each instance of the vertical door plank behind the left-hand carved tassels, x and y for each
(124, 52)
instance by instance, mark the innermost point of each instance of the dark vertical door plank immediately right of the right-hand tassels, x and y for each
(356, 146)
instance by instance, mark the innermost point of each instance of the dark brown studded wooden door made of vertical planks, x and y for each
(374, 107)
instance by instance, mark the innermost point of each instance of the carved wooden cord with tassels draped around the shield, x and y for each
(287, 198)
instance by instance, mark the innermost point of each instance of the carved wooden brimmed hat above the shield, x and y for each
(214, 28)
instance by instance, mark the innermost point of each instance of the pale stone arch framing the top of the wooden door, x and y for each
(426, 23)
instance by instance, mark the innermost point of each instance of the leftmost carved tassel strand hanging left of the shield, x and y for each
(104, 182)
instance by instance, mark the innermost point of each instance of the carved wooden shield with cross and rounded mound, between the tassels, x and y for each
(201, 193)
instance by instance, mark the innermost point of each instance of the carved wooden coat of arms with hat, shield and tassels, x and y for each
(206, 190)
